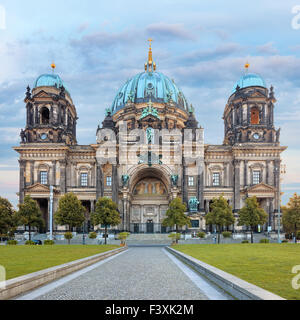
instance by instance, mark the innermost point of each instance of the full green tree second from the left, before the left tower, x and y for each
(29, 214)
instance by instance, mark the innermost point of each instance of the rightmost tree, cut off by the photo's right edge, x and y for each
(291, 215)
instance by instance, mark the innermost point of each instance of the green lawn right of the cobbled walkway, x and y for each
(265, 265)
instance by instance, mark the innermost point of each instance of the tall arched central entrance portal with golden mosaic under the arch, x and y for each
(149, 203)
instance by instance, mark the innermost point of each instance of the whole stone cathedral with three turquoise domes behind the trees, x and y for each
(149, 150)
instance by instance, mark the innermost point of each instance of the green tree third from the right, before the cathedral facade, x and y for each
(221, 214)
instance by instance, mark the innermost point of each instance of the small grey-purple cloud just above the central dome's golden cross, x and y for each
(169, 31)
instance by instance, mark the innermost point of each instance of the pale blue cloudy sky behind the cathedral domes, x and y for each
(98, 45)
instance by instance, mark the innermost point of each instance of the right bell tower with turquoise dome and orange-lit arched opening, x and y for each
(249, 112)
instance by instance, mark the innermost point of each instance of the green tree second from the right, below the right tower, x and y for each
(252, 215)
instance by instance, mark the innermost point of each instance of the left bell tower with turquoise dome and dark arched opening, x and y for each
(50, 113)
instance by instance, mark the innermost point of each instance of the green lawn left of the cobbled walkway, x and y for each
(19, 260)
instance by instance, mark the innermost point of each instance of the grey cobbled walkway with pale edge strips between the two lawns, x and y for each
(137, 274)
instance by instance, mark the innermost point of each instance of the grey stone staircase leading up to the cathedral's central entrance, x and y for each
(148, 239)
